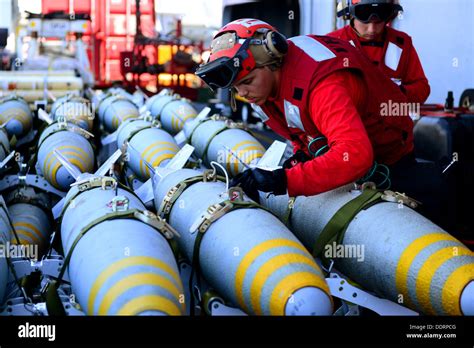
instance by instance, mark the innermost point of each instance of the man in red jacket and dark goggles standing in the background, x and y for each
(391, 50)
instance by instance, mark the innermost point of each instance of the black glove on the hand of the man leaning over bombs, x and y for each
(253, 180)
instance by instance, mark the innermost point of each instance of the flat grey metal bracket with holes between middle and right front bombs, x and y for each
(340, 288)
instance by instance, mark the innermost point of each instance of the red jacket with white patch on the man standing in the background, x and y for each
(396, 57)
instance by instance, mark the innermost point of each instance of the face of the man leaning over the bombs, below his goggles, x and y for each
(257, 86)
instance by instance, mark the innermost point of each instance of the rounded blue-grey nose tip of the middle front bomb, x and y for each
(309, 301)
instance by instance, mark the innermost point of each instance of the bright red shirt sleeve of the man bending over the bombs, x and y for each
(335, 107)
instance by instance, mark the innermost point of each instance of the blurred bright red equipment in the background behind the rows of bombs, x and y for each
(122, 45)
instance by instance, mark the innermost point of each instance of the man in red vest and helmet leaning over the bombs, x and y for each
(339, 111)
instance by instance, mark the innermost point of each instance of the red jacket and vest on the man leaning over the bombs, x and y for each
(324, 85)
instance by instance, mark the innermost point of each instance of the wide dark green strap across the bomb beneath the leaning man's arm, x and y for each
(336, 227)
